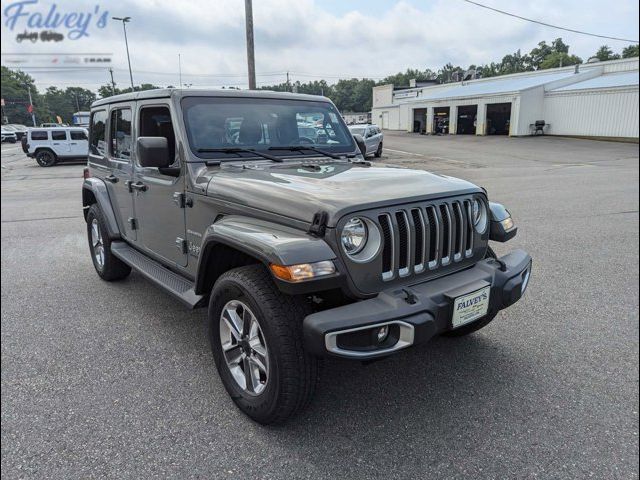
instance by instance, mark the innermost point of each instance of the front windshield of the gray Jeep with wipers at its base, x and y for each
(262, 123)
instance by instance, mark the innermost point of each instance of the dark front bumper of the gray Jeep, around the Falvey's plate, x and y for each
(413, 313)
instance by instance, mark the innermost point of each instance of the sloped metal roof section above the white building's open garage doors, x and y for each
(497, 86)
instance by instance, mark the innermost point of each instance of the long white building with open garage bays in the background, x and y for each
(590, 100)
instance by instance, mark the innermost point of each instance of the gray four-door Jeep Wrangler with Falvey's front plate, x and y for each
(260, 207)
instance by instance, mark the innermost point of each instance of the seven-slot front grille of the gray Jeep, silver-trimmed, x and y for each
(425, 237)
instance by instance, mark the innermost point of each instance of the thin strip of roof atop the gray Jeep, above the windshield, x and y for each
(195, 92)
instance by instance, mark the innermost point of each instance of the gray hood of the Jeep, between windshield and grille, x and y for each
(299, 191)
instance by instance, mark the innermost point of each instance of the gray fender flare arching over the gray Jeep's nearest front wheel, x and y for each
(268, 242)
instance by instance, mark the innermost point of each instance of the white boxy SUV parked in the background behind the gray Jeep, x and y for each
(49, 145)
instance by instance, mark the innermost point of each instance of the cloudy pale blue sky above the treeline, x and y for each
(312, 39)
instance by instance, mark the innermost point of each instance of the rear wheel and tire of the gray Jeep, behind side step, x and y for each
(108, 266)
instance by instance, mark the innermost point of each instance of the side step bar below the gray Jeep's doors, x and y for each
(176, 285)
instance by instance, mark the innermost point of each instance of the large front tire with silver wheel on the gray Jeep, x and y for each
(256, 339)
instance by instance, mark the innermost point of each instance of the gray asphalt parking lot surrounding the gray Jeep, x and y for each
(117, 380)
